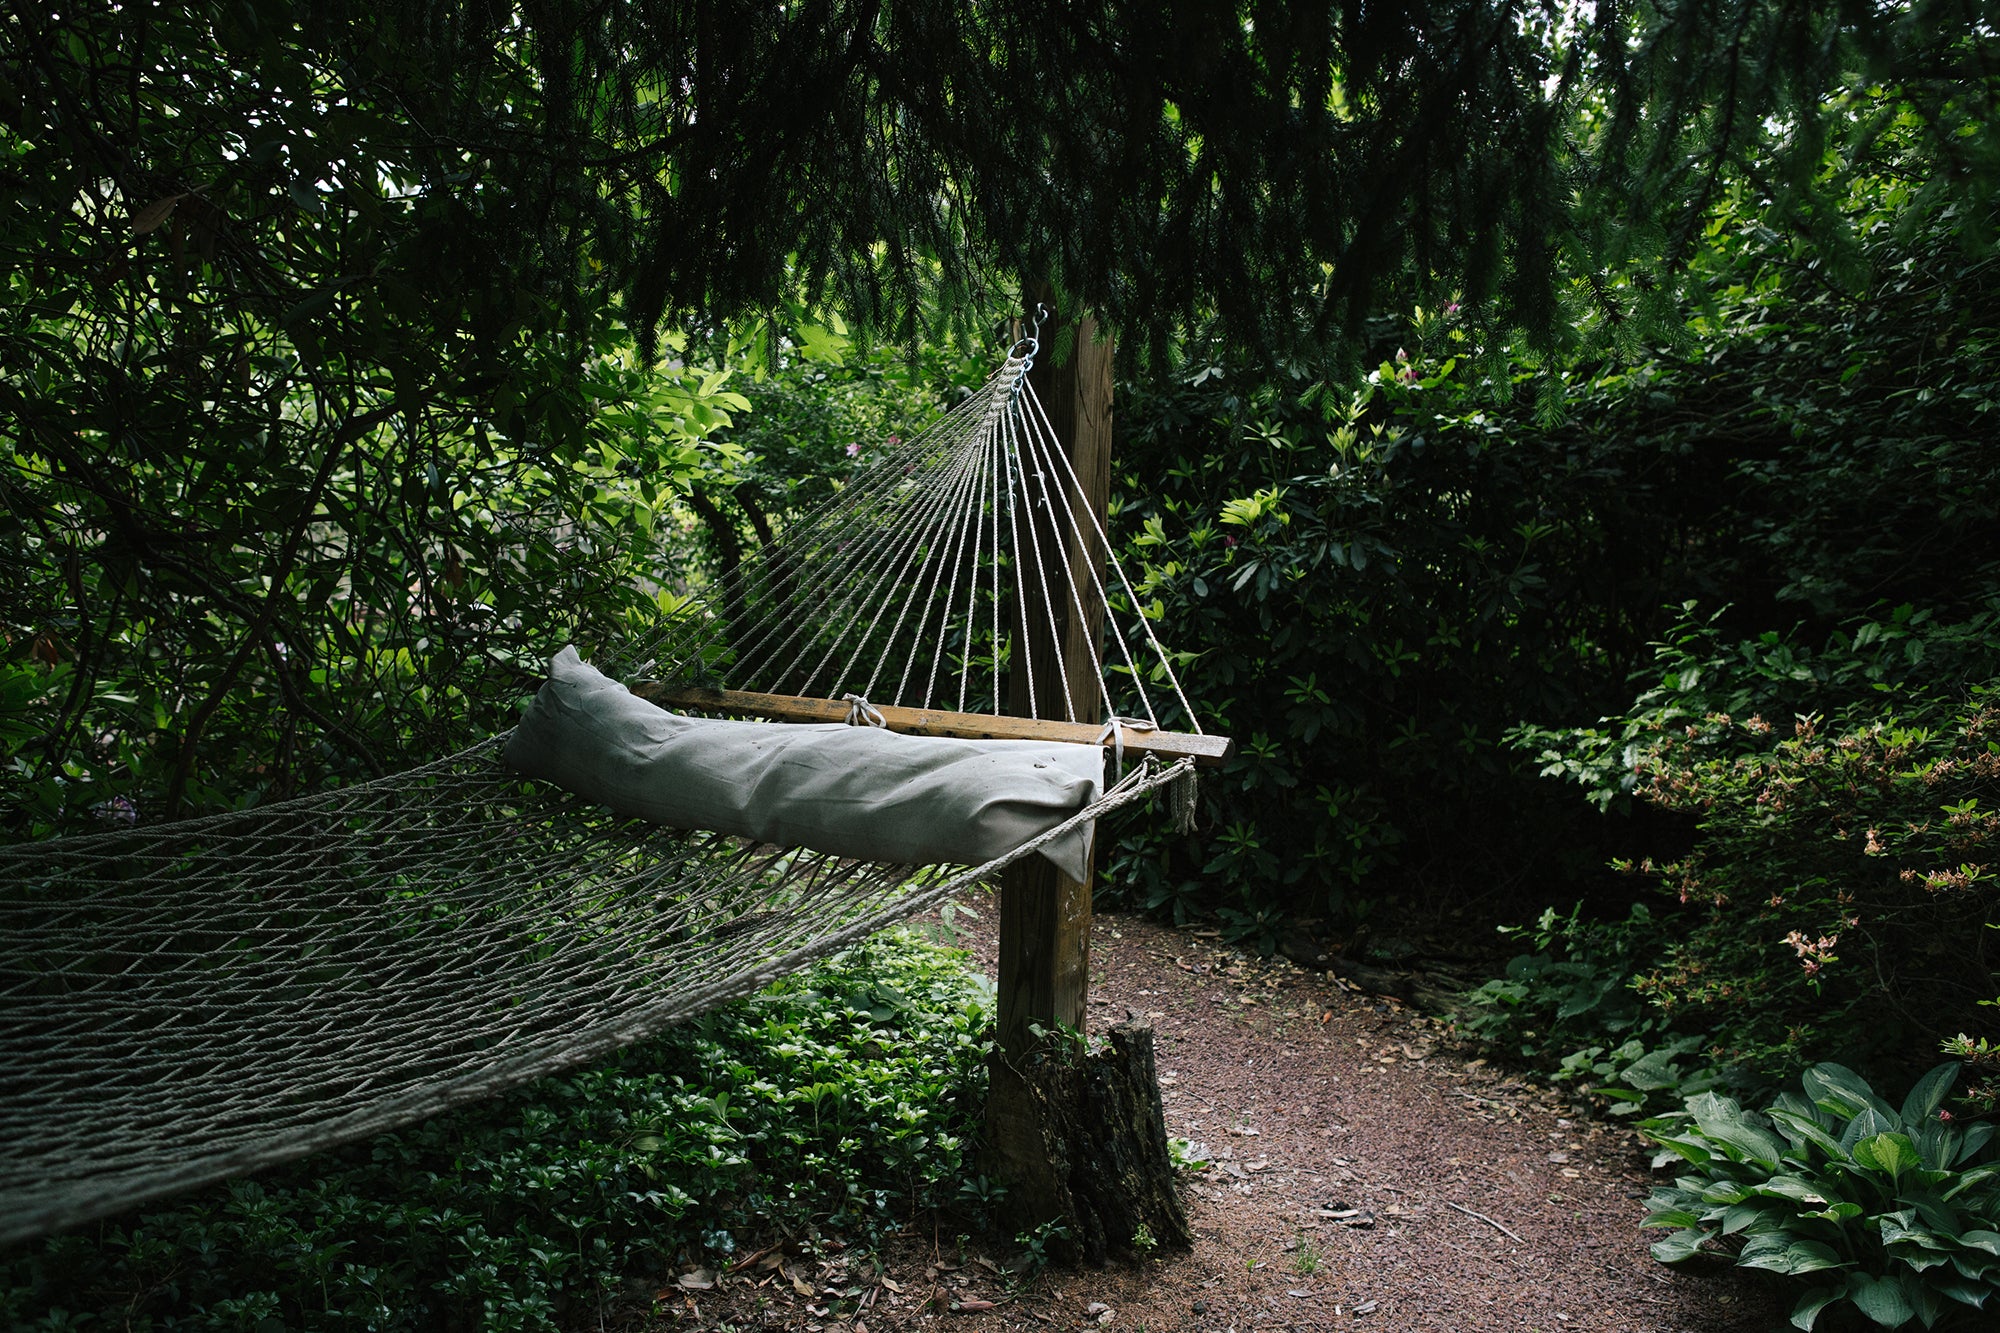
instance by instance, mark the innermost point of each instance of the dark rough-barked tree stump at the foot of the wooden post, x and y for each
(1085, 1144)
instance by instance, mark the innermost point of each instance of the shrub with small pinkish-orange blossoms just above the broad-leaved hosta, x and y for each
(1835, 894)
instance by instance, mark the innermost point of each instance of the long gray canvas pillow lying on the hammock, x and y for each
(853, 792)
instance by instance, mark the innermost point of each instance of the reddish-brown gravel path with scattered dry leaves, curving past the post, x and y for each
(1363, 1172)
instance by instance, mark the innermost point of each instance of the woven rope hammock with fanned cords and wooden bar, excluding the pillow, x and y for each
(189, 1002)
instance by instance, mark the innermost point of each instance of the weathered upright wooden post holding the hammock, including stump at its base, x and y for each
(1075, 1142)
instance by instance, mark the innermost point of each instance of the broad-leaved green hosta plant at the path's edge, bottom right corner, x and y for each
(1889, 1212)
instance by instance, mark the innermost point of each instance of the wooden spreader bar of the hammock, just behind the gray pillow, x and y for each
(1169, 746)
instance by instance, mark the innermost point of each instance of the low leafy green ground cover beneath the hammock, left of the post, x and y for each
(839, 1102)
